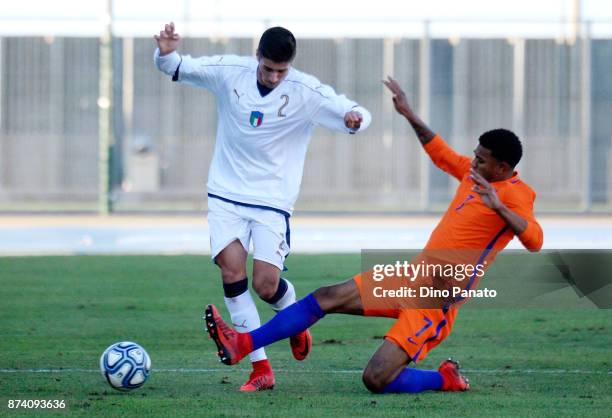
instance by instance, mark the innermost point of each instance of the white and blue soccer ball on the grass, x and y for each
(125, 365)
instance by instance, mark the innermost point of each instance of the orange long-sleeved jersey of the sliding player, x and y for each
(470, 224)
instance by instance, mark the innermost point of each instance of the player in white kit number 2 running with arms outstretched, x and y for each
(267, 111)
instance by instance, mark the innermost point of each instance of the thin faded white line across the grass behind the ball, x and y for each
(467, 371)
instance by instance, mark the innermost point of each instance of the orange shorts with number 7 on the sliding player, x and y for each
(416, 331)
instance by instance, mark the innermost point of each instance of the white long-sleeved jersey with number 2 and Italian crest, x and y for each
(261, 141)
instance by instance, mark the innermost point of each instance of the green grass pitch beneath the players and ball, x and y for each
(57, 315)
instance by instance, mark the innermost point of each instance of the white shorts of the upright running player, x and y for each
(268, 229)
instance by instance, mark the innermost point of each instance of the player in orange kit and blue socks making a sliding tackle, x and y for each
(491, 206)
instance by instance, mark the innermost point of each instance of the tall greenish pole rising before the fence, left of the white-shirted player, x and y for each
(105, 122)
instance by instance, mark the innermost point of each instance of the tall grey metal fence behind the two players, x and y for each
(556, 95)
